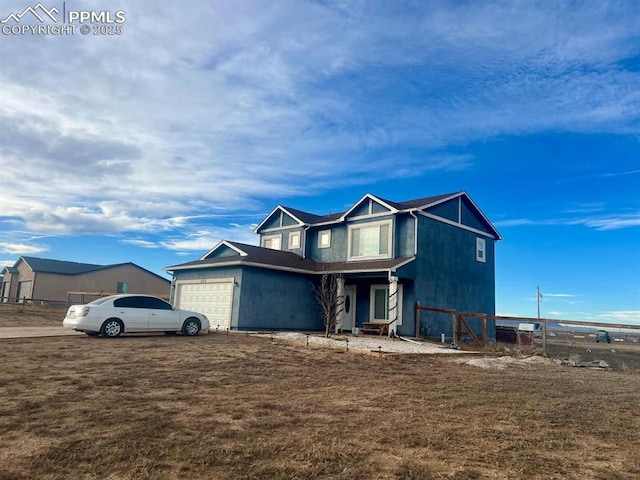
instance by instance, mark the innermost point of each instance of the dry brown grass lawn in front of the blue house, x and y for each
(236, 407)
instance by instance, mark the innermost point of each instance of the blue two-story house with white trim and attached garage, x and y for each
(438, 251)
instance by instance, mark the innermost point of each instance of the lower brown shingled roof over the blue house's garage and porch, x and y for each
(251, 255)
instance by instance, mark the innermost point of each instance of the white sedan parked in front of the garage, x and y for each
(117, 314)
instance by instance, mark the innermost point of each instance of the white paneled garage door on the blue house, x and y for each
(214, 298)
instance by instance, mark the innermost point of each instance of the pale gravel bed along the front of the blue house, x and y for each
(367, 343)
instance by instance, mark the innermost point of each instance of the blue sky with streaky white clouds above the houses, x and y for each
(153, 145)
